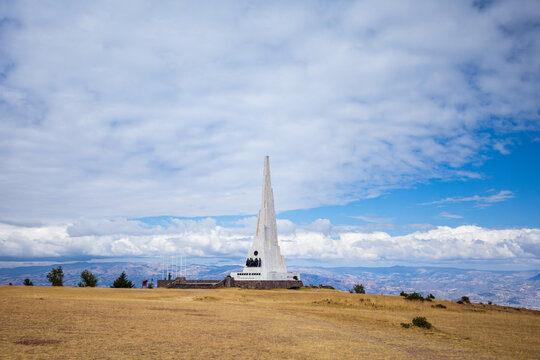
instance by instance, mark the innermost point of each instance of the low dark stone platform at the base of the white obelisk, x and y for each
(183, 283)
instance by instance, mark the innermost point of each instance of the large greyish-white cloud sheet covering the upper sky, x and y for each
(130, 109)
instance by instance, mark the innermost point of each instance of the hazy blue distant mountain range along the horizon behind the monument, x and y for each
(513, 288)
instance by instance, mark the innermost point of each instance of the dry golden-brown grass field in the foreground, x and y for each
(232, 323)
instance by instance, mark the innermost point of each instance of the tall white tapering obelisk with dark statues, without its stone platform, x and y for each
(264, 260)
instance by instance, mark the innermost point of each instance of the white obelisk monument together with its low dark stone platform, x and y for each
(265, 267)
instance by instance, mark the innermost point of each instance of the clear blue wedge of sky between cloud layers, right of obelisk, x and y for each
(517, 173)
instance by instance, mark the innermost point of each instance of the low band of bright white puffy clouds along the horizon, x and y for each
(318, 240)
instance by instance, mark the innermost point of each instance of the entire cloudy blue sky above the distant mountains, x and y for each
(397, 131)
